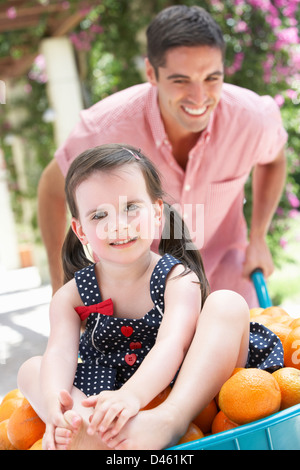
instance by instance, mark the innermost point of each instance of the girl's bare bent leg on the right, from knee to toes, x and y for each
(220, 344)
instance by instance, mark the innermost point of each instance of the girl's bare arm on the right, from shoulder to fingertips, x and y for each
(182, 308)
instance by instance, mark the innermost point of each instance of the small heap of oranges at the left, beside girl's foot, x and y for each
(20, 426)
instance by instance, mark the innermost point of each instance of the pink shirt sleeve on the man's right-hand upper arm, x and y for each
(274, 136)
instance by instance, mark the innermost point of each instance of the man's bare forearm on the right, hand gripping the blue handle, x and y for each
(267, 186)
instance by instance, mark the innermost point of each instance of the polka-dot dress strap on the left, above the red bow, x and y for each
(87, 285)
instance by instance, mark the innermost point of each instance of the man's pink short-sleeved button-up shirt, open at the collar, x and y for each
(245, 129)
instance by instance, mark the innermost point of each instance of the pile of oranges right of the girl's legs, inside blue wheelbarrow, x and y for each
(252, 394)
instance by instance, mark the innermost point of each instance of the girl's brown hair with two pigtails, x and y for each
(109, 157)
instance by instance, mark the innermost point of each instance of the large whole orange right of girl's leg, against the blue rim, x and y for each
(248, 395)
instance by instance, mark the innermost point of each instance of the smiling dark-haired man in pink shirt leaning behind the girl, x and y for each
(205, 137)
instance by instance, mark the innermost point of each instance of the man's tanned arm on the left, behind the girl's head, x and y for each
(52, 219)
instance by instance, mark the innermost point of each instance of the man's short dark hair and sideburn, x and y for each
(180, 25)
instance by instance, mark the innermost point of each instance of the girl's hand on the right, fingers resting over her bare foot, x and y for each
(112, 410)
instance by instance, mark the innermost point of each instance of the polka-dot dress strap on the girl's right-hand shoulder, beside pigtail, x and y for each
(159, 278)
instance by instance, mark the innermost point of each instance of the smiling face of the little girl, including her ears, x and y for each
(117, 218)
